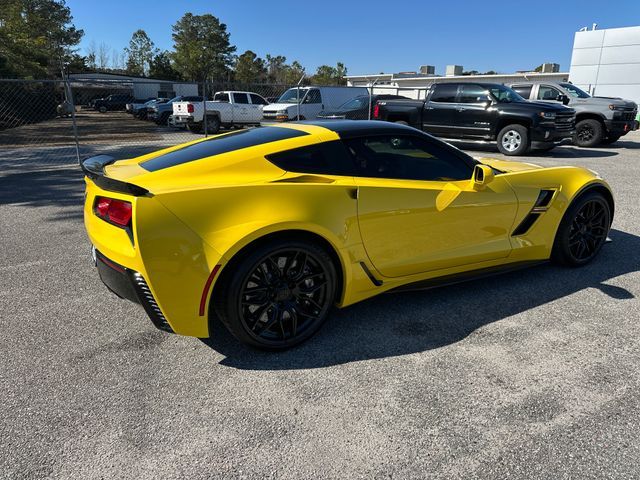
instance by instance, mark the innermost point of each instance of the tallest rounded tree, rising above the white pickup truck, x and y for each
(202, 50)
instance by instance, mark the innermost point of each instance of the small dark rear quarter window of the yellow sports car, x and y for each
(330, 158)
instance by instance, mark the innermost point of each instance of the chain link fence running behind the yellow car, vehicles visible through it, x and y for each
(45, 123)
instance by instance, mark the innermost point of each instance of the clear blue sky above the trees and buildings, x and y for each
(372, 36)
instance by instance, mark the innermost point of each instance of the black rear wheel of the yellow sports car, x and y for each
(291, 284)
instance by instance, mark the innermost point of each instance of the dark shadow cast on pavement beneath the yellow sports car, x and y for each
(403, 323)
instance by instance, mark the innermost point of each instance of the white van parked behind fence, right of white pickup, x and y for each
(312, 101)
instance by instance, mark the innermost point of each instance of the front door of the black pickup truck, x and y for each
(474, 112)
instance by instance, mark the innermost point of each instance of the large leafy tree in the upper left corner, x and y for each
(36, 37)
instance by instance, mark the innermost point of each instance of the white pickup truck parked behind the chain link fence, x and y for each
(228, 109)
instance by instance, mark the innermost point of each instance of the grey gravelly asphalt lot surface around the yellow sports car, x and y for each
(529, 375)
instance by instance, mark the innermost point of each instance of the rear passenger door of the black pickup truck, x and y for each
(438, 110)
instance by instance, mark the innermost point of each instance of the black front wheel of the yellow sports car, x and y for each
(582, 231)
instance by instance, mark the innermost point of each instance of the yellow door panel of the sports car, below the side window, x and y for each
(410, 227)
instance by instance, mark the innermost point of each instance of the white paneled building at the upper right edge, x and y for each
(606, 62)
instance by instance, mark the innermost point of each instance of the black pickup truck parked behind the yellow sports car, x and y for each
(484, 112)
